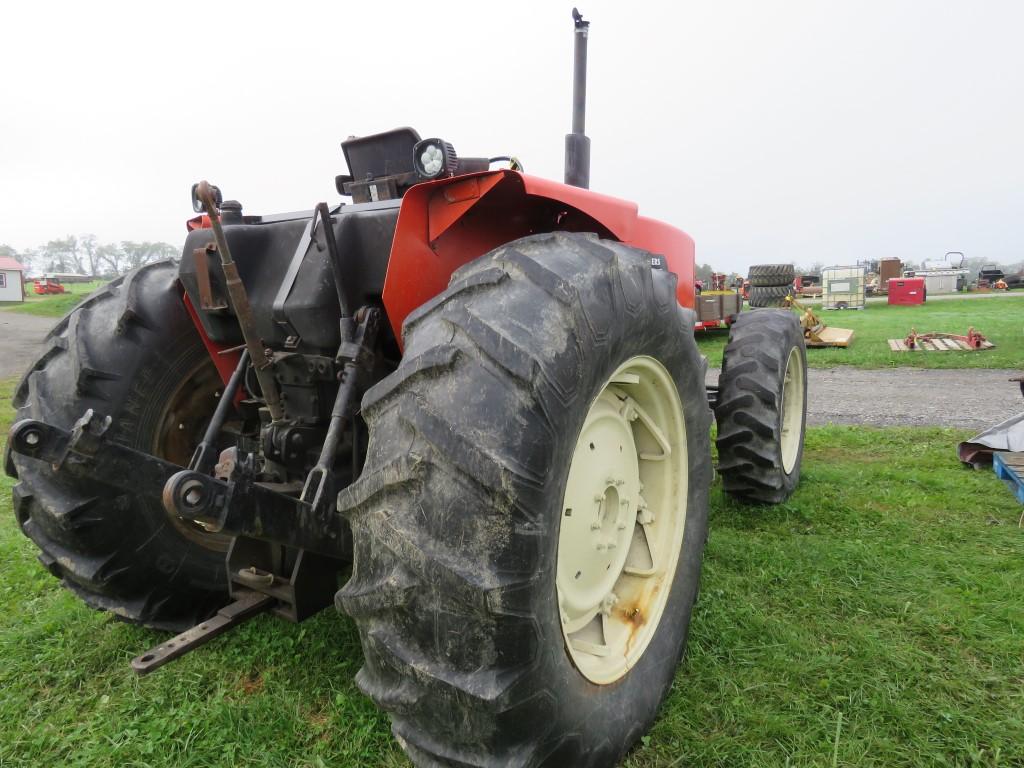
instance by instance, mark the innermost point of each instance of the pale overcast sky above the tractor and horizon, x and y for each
(770, 132)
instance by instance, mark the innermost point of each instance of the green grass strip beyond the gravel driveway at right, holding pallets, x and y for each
(1001, 320)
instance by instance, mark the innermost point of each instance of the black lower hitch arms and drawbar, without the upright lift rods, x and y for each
(294, 581)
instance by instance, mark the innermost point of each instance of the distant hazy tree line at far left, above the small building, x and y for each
(84, 254)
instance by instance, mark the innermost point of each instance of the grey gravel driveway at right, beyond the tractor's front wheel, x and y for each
(971, 399)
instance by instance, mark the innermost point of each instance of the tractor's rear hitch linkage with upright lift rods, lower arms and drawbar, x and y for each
(287, 551)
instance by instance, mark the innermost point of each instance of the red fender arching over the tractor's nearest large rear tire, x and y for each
(447, 224)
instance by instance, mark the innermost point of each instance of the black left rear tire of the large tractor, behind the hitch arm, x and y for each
(131, 352)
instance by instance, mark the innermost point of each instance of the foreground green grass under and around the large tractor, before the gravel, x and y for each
(876, 620)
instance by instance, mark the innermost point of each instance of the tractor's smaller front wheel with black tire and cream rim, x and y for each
(762, 407)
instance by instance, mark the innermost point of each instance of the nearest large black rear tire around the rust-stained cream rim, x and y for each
(456, 521)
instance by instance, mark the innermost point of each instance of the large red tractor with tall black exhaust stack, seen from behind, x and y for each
(475, 391)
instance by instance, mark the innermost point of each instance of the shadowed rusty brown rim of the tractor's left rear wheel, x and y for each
(181, 428)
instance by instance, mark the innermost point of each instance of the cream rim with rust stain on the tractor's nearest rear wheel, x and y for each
(622, 521)
